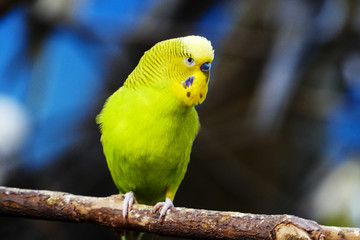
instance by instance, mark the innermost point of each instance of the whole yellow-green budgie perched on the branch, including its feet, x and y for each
(149, 124)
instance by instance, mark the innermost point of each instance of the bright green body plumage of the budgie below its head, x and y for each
(147, 141)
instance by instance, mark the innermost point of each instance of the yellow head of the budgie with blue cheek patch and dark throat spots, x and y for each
(181, 65)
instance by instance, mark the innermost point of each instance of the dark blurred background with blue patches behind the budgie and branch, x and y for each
(280, 126)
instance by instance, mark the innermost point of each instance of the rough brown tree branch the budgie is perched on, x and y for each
(179, 222)
